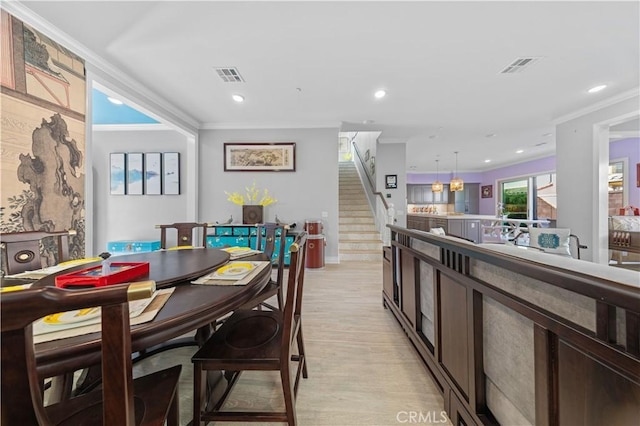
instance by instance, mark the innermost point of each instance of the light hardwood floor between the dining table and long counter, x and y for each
(362, 368)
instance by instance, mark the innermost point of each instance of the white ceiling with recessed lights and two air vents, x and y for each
(318, 63)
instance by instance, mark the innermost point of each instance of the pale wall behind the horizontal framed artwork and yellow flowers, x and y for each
(302, 195)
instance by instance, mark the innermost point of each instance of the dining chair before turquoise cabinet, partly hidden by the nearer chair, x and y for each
(271, 239)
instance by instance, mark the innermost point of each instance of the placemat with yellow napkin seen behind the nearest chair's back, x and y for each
(61, 325)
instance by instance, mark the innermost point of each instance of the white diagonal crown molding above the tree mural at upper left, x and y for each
(124, 81)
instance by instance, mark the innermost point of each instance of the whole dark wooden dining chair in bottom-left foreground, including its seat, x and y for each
(148, 400)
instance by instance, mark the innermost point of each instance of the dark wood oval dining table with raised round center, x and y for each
(190, 307)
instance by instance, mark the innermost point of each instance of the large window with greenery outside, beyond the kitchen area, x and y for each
(517, 196)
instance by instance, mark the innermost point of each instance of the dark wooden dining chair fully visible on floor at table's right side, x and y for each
(256, 340)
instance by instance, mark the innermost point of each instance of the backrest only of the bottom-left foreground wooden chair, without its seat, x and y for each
(21, 391)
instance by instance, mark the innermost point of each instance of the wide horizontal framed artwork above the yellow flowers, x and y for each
(260, 157)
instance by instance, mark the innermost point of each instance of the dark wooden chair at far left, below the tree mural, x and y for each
(21, 250)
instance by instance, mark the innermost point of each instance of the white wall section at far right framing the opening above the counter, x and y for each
(582, 158)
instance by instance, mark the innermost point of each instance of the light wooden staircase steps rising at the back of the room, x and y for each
(359, 240)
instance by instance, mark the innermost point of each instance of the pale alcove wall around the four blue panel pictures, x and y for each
(133, 217)
